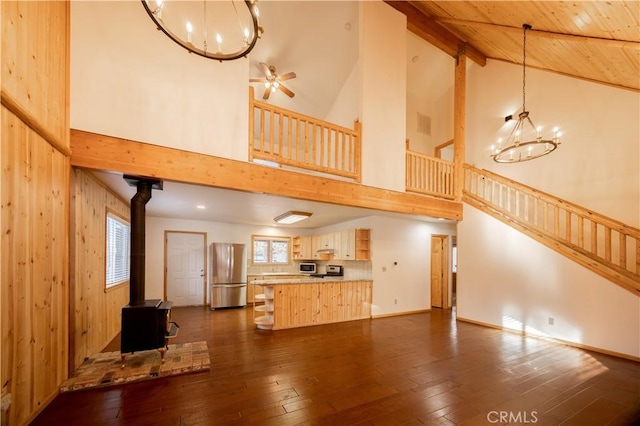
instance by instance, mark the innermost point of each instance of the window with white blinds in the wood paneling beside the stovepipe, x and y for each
(118, 234)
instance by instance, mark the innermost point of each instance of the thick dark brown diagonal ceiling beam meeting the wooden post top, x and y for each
(427, 27)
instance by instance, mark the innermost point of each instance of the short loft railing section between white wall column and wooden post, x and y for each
(429, 175)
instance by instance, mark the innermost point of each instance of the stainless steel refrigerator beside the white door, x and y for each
(227, 275)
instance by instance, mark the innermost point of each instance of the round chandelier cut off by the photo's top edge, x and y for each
(221, 30)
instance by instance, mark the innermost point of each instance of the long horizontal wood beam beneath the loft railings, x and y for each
(99, 152)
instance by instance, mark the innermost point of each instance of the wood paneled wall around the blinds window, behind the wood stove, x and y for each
(96, 313)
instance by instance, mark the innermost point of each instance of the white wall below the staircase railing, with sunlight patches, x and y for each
(507, 279)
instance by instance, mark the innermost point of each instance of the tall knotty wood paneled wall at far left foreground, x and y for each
(35, 204)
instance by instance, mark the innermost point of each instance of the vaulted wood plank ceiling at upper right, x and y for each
(594, 40)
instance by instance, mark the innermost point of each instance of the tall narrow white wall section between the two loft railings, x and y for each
(383, 67)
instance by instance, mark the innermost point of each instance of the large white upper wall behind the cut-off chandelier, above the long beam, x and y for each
(129, 80)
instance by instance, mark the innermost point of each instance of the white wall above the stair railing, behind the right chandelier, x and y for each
(597, 164)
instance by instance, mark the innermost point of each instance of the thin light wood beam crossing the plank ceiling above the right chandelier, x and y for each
(626, 44)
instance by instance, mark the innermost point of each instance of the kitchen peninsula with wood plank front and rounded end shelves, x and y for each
(301, 302)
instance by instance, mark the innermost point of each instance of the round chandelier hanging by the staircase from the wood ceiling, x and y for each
(525, 140)
